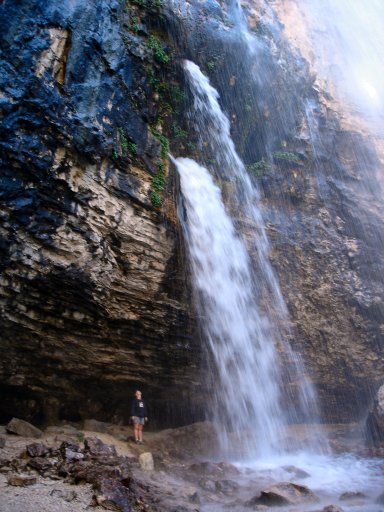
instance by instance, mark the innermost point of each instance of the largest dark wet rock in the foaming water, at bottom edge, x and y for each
(284, 494)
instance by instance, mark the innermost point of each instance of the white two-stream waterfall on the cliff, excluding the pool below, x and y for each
(238, 298)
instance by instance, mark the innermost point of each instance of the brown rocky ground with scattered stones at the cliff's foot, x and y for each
(99, 467)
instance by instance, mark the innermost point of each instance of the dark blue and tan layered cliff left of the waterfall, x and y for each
(93, 290)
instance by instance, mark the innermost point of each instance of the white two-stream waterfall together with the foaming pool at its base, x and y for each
(244, 320)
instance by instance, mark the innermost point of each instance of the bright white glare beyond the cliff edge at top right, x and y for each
(348, 41)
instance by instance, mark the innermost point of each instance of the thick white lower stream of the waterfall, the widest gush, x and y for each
(237, 333)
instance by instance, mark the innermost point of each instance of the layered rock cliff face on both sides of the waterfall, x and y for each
(94, 289)
